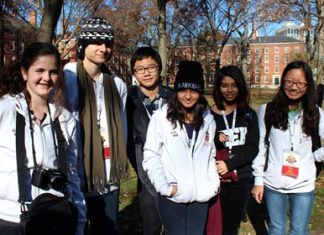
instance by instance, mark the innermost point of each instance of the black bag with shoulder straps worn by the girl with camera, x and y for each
(48, 214)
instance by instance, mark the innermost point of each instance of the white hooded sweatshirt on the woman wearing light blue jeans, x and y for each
(280, 141)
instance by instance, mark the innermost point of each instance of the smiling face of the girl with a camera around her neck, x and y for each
(41, 76)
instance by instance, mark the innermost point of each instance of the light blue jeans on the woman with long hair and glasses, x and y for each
(300, 208)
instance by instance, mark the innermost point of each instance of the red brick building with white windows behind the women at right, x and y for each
(266, 59)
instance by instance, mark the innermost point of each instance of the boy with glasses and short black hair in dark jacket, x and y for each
(142, 101)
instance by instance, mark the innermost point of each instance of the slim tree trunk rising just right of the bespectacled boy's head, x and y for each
(162, 38)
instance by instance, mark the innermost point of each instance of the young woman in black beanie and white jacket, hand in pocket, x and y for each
(179, 155)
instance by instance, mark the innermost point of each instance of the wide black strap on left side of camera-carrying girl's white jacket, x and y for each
(20, 155)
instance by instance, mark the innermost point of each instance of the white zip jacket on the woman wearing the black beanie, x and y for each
(169, 158)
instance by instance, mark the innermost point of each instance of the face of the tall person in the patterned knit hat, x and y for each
(97, 53)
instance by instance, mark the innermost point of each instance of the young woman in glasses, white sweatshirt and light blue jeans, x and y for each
(284, 169)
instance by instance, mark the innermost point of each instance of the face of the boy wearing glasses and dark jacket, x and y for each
(147, 73)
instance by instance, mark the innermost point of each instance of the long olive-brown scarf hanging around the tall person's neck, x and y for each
(92, 141)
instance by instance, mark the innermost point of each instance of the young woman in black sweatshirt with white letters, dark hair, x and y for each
(236, 140)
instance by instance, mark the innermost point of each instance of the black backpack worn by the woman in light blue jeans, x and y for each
(316, 144)
